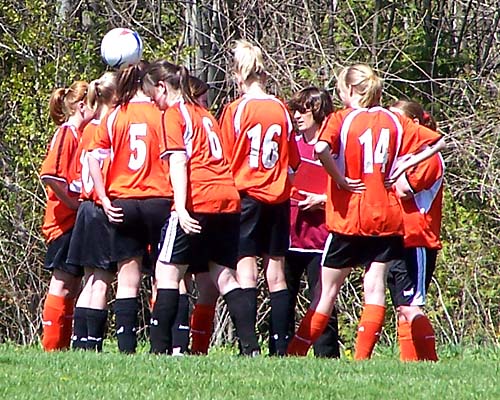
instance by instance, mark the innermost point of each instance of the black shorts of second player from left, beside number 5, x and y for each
(91, 239)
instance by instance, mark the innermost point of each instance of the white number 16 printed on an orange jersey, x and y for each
(270, 154)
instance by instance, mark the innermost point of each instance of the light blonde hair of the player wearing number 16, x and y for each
(248, 61)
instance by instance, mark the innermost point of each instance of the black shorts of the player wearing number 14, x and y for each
(345, 251)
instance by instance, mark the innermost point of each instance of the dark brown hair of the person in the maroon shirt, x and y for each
(318, 101)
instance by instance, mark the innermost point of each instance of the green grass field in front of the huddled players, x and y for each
(29, 373)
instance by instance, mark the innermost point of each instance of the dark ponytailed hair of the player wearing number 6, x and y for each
(176, 76)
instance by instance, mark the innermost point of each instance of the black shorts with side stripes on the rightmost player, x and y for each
(409, 279)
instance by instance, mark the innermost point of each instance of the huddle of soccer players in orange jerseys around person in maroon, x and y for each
(141, 177)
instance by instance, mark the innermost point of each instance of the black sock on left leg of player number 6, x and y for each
(162, 320)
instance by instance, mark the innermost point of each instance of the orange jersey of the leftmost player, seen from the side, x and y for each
(61, 164)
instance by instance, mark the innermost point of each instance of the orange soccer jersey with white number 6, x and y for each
(193, 130)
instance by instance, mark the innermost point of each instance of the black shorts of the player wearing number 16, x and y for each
(264, 228)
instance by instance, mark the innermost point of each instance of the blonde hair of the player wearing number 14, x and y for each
(364, 81)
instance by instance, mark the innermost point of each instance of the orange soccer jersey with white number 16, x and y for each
(257, 136)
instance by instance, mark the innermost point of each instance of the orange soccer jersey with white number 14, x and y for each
(366, 144)
